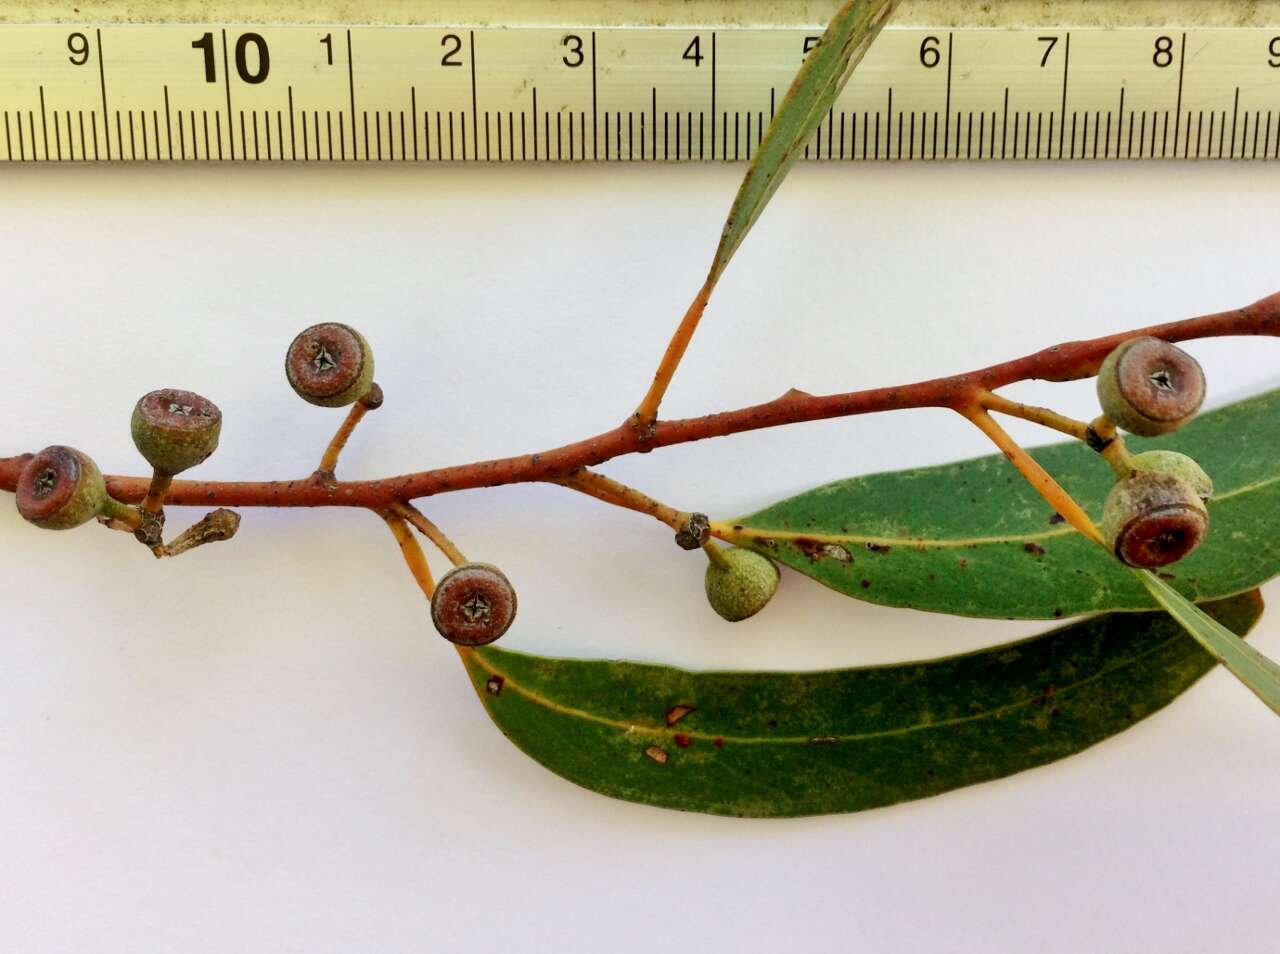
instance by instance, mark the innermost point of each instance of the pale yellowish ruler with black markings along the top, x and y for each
(655, 81)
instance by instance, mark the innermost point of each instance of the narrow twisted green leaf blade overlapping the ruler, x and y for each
(811, 97)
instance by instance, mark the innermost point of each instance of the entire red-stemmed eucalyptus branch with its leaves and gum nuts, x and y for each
(1154, 515)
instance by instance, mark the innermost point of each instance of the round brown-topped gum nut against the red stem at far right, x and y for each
(1150, 387)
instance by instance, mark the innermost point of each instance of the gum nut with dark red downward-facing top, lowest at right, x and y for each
(1153, 519)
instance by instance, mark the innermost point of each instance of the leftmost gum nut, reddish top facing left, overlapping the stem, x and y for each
(62, 489)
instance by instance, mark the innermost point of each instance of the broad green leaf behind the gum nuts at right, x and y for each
(975, 538)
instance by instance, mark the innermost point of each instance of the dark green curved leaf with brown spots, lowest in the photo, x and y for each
(771, 745)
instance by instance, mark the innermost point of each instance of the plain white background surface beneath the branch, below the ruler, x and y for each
(266, 747)
